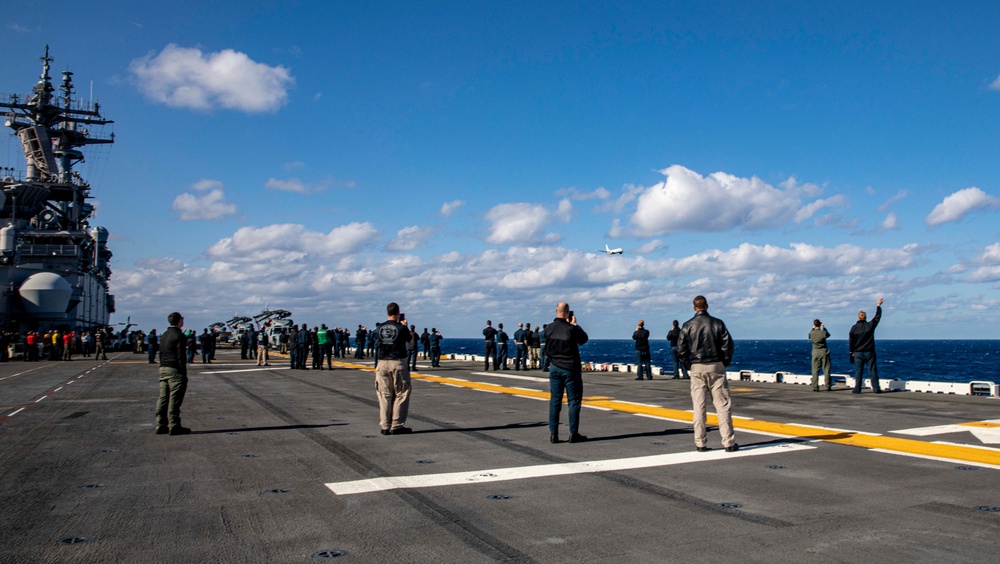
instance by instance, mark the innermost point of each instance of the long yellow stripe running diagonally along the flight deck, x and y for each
(953, 452)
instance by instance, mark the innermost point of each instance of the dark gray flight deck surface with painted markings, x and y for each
(83, 464)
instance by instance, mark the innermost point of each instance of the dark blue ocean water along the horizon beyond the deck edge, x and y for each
(936, 361)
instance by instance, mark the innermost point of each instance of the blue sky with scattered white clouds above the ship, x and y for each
(467, 160)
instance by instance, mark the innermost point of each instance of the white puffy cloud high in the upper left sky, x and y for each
(187, 78)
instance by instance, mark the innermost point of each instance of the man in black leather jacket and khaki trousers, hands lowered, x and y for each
(706, 349)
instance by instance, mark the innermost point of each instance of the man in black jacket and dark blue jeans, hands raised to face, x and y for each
(563, 338)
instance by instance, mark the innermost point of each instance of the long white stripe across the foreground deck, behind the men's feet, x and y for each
(545, 470)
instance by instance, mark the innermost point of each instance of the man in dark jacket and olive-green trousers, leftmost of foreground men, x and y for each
(173, 378)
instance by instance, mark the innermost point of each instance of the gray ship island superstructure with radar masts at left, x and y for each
(54, 266)
